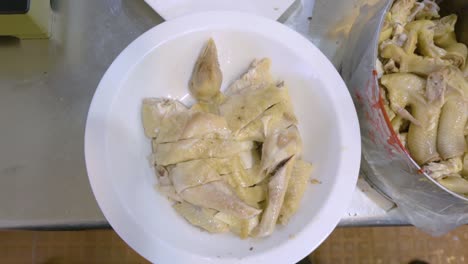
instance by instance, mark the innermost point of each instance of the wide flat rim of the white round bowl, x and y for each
(348, 132)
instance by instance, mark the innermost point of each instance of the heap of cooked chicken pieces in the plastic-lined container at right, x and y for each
(424, 72)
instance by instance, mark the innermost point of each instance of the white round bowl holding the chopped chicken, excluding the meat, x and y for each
(159, 64)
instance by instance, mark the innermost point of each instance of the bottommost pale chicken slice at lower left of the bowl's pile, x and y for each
(201, 217)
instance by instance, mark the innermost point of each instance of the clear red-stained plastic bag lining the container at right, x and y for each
(386, 163)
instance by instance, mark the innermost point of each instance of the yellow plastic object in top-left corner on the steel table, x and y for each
(33, 24)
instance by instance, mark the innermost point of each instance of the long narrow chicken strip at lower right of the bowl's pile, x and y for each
(277, 186)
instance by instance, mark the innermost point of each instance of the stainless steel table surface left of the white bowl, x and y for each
(46, 87)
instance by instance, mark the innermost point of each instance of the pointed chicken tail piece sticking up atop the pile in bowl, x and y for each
(207, 77)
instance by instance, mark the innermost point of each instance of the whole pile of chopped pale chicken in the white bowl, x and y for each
(232, 160)
